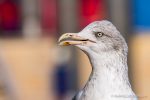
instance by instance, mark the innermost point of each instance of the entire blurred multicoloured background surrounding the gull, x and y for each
(33, 67)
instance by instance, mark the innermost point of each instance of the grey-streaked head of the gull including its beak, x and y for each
(99, 36)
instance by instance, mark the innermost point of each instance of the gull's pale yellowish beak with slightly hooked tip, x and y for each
(72, 39)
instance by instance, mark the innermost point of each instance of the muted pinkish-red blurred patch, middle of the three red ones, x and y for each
(49, 16)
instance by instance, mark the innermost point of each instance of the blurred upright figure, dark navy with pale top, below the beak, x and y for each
(62, 75)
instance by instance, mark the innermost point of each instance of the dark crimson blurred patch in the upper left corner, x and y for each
(9, 16)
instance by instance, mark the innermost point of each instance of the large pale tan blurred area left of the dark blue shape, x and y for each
(29, 65)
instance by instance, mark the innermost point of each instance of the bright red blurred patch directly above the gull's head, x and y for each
(92, 10)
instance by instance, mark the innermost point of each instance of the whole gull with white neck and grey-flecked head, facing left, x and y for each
(107, 52)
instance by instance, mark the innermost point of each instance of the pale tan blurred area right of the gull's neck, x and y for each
(140, 65)
